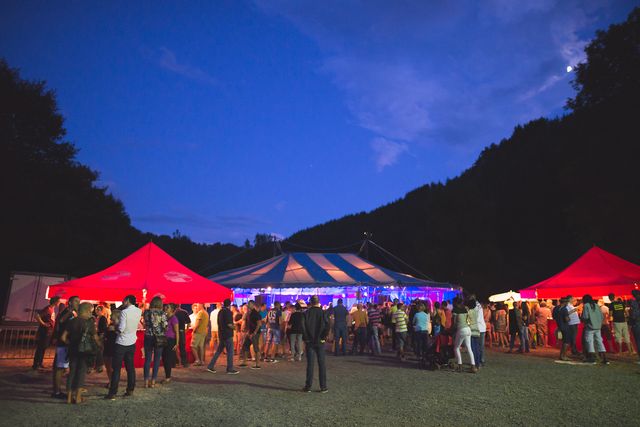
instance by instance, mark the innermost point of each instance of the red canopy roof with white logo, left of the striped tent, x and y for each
(148, 269)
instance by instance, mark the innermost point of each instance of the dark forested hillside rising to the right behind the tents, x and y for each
(537, 200)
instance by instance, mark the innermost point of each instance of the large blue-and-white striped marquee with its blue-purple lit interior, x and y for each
(295, 275)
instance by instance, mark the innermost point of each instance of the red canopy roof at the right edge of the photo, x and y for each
(597, 273)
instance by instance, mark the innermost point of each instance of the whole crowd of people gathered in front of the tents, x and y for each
(103, 337)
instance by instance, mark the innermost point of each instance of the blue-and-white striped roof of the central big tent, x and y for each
(304, 270)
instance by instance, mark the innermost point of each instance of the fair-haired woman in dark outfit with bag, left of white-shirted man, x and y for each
(82, 340)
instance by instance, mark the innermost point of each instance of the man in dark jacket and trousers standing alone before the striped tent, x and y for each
(315, 330)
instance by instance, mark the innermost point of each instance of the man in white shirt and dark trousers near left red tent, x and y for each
(125, 346)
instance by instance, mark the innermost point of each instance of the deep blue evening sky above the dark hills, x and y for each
(223, 119)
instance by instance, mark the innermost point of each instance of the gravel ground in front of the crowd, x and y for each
(363, 391)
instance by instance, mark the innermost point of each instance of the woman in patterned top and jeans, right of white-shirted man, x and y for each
(155, 339)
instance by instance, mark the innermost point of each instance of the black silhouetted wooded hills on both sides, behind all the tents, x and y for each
(527, 207)
